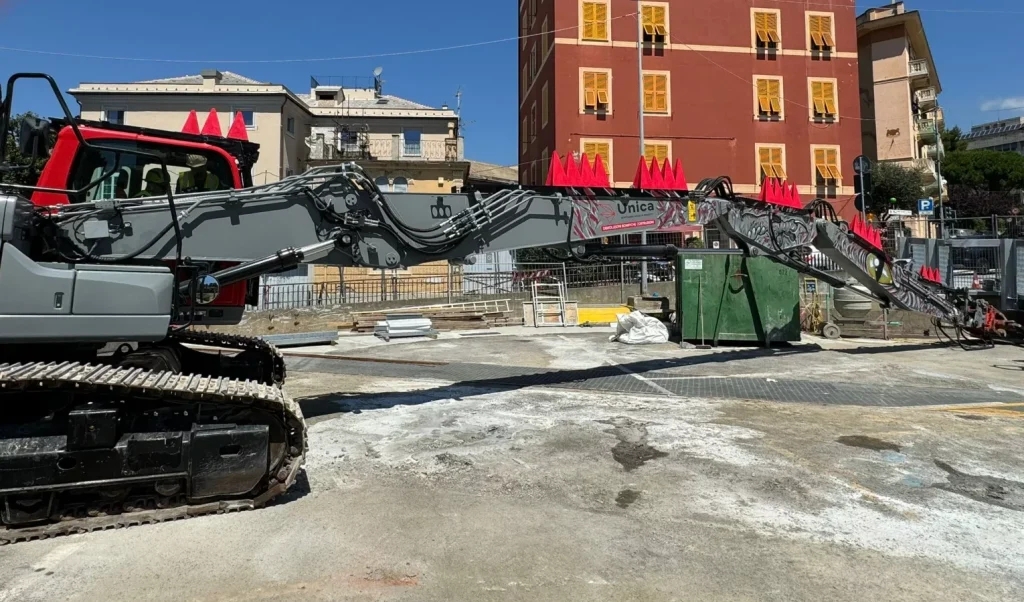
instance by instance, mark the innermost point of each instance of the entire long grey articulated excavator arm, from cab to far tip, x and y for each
(336, 216)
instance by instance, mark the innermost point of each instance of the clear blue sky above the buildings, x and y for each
(976, 53)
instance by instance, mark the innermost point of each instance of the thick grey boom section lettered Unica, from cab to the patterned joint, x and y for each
(340, 204)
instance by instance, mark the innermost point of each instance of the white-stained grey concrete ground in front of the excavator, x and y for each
(423, 491)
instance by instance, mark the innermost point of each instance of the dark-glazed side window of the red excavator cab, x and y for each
(190, 170)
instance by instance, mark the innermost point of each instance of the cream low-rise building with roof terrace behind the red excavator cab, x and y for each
(404, 146)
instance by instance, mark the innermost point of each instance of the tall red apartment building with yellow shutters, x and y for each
(745, 89)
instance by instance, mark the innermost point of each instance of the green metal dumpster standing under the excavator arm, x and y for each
(723, 296)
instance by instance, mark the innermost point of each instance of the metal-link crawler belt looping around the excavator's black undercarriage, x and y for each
(166, 388)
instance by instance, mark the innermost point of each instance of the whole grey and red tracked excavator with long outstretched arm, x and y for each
(118, 412)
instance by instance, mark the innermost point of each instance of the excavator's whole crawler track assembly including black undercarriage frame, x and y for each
(140, 396)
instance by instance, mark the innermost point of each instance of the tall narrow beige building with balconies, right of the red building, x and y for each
(900, 91)
